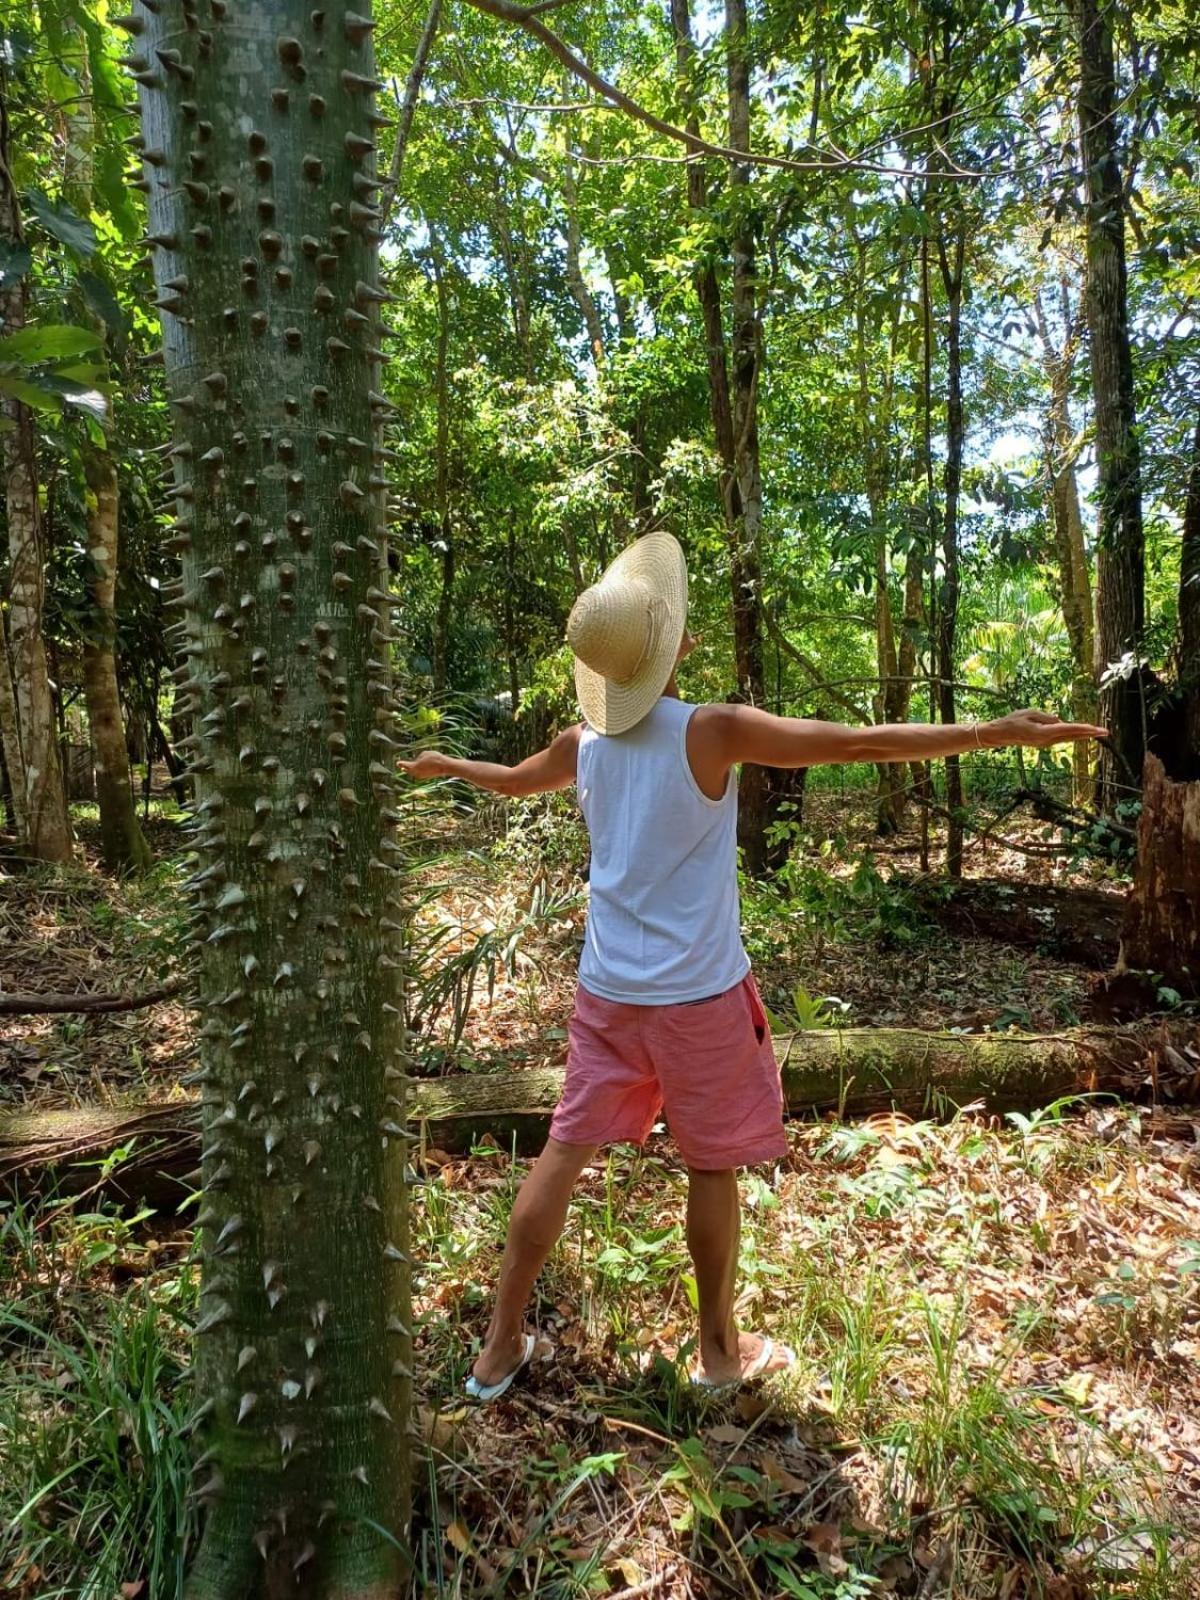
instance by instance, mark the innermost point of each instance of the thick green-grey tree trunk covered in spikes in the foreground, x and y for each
(260, 161)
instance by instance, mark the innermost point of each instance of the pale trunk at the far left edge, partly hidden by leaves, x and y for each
(30, 726)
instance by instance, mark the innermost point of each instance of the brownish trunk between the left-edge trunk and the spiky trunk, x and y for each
(122, 844)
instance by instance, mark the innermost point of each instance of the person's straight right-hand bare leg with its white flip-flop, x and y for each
(714, 1228)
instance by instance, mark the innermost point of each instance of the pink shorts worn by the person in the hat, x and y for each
(710, 1063)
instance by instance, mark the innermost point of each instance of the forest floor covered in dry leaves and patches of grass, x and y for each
(998, 1321)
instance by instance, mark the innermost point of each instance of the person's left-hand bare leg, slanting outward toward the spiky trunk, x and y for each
(538, 1217)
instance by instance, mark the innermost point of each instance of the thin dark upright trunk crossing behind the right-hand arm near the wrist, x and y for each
(948, 607)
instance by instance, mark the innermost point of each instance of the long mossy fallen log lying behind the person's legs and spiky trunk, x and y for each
(846, 1071)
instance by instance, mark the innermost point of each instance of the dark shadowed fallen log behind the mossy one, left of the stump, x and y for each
(1071, 924)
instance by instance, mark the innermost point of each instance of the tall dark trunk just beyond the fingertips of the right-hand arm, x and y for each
(1121, 561)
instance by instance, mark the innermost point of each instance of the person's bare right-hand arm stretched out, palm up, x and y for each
(743, 734)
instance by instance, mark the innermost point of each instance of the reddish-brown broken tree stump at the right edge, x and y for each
(1162, 916)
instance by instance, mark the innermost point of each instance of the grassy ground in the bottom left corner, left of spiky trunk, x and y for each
(94, 1466)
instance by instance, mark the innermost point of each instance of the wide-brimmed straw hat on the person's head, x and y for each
(626, 633)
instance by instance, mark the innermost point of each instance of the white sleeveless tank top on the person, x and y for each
(663, 924)
